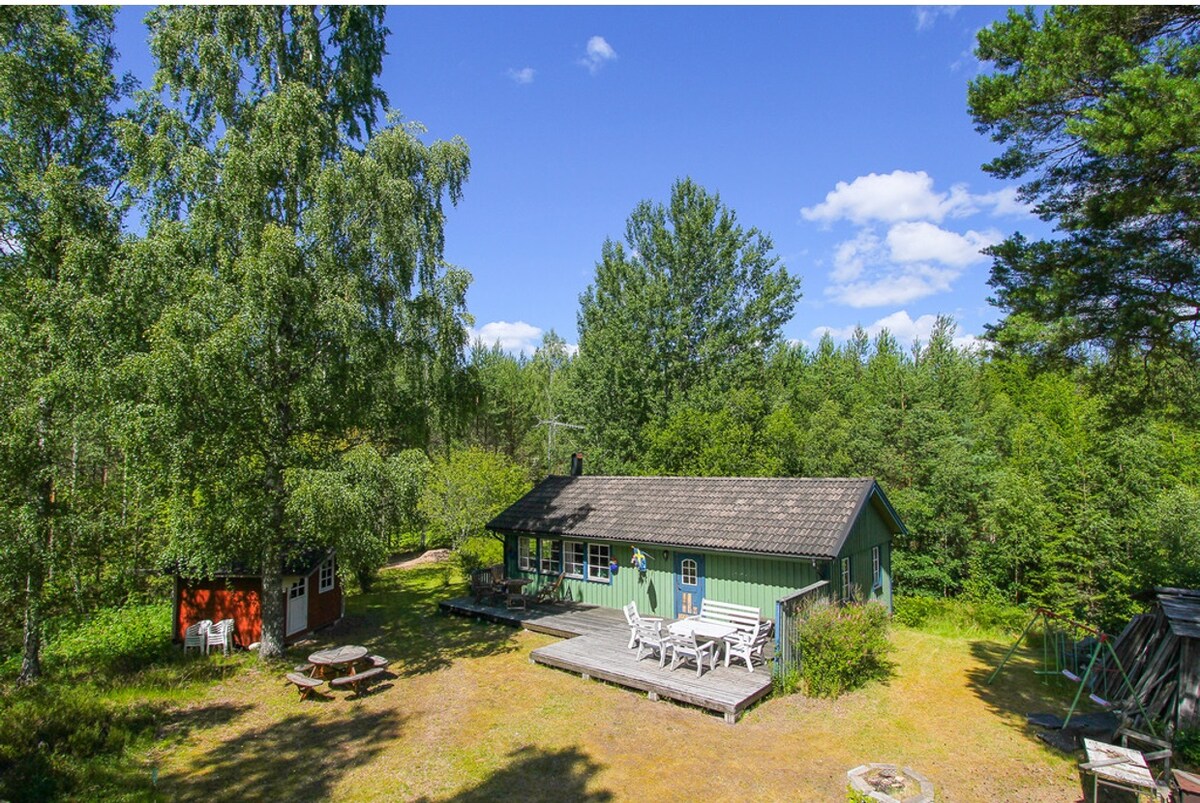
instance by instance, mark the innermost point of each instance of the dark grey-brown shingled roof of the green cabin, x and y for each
(794, 517)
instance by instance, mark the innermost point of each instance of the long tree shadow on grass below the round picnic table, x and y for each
(293, 758)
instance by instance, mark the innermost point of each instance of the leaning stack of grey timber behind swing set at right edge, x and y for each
(1160, 652)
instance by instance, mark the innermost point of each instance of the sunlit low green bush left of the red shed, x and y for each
(113, 639)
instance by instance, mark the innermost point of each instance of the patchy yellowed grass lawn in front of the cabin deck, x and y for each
(470, 718)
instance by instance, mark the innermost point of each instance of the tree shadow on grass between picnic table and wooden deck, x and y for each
(400, 620)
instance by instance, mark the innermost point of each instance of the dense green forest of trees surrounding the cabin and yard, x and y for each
(280, 357)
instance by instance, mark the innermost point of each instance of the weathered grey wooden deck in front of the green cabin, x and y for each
(597, 646)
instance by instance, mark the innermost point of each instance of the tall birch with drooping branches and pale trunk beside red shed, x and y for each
(303, 242)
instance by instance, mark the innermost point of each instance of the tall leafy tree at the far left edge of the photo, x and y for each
(59, 235)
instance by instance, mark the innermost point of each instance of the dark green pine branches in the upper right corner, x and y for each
(1100, 110)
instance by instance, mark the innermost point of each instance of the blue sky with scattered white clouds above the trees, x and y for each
(842, 133)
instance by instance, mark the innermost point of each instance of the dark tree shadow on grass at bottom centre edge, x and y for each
(537, 775)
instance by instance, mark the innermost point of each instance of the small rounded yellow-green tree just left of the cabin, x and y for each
(466, 490)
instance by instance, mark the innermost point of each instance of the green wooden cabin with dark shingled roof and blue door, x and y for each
(740, 540)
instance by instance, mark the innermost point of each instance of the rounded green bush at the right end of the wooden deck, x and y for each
(843, 648)
